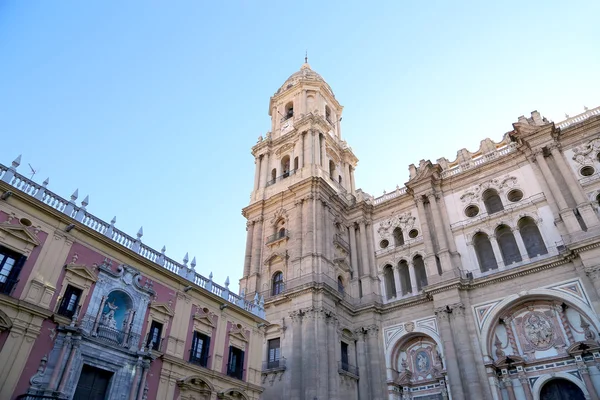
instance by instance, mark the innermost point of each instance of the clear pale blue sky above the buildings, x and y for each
(151, 107)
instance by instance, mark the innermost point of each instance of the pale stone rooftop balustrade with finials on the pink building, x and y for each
(80, 214)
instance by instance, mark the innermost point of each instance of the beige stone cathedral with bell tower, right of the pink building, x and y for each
(479, 279)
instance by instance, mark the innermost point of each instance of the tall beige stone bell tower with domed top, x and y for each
(298, 250)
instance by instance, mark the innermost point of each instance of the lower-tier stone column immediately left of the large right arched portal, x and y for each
(465, 353)
